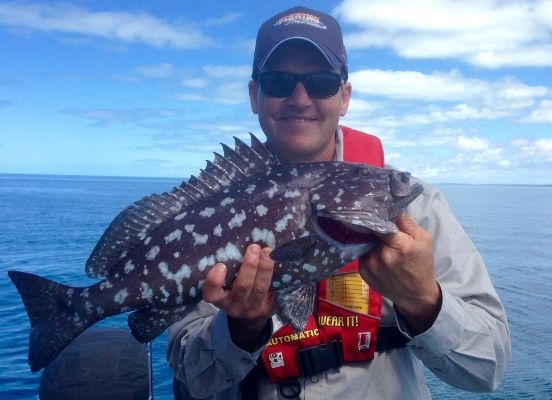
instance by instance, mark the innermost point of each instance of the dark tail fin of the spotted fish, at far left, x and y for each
(53, 322)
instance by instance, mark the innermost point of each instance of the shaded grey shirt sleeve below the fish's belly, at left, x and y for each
(203, 357)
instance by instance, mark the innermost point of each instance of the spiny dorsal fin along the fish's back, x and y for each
(136, 223)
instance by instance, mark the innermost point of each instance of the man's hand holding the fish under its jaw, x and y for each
(402, 269)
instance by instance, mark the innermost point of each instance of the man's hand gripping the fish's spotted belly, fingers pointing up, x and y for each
(249, 302)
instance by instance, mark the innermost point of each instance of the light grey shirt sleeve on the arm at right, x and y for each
(468, 346)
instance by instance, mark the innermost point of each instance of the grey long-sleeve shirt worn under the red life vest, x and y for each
(468, 345)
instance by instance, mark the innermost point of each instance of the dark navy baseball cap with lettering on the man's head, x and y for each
(301, 23)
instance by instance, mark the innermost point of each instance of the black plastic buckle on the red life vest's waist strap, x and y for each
(315, 360)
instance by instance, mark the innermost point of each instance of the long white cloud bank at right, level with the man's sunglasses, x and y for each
(449, 97)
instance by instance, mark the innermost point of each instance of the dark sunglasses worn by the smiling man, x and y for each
(319, 85)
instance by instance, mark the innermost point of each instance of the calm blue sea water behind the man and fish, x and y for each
(49, 225)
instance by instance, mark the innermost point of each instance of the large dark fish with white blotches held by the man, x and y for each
(155, 254)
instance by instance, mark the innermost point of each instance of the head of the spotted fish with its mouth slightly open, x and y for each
(356, 204)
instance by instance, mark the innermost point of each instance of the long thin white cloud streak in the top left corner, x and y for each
(127, 27)
